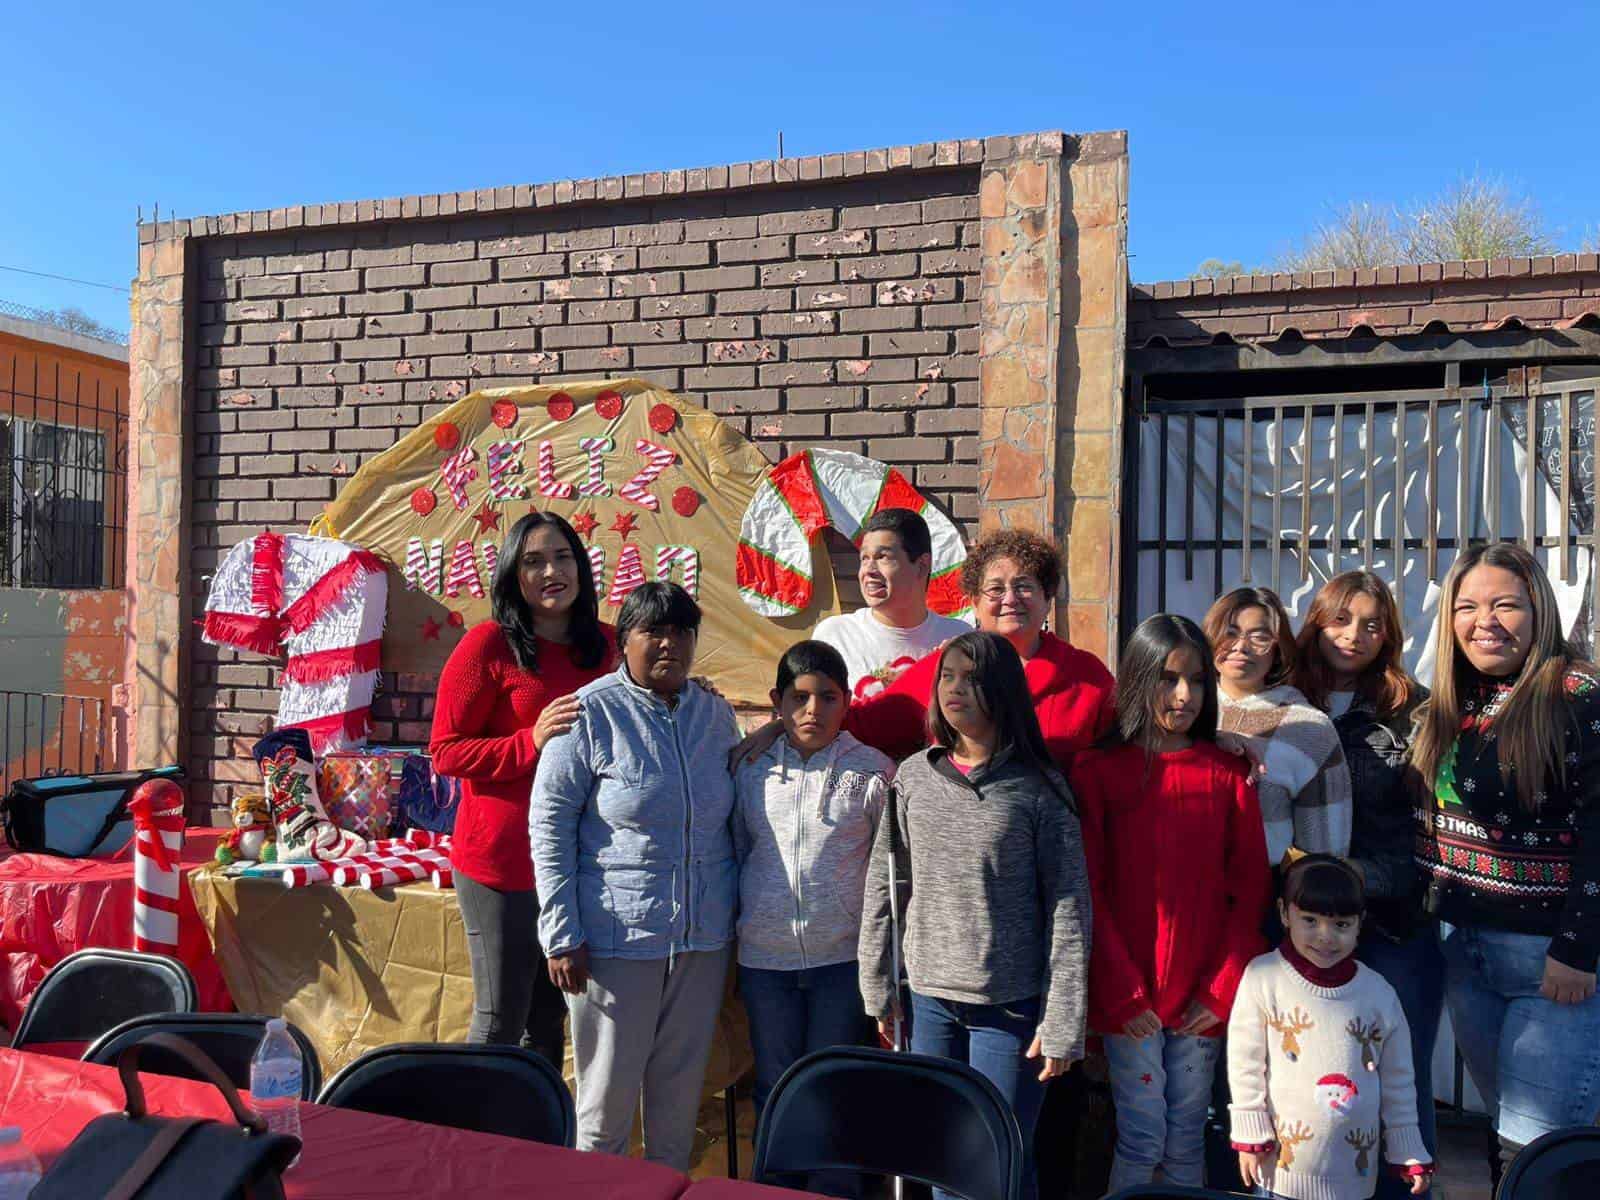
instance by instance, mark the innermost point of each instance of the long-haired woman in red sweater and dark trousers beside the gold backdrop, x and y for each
(506, 690)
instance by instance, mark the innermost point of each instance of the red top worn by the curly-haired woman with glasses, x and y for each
(1074, 697)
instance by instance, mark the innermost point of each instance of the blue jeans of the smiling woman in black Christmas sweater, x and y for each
(1535, 1062)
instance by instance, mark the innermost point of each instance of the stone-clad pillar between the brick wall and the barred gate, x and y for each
(1054, 319)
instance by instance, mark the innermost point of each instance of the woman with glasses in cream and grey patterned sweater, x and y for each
(1305, 785)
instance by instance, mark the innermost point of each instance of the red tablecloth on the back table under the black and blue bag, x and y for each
(54, 906)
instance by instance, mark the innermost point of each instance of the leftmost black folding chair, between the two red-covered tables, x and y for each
(94, 991)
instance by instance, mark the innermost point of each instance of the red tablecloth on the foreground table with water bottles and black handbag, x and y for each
(350, 1156)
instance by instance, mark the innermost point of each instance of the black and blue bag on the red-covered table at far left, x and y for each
(74, 815)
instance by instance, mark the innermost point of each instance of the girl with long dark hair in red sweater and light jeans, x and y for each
(1180, 882)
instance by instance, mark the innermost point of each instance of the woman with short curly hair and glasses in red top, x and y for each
(1012, 577)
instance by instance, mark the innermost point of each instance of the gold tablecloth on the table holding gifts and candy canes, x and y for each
(358, 970)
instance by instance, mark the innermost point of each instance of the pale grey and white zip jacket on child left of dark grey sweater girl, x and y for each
(802, 831)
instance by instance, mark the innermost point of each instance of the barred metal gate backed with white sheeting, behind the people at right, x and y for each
(1290, 490)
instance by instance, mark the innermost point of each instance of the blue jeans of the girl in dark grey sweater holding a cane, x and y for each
(991, 1039)
